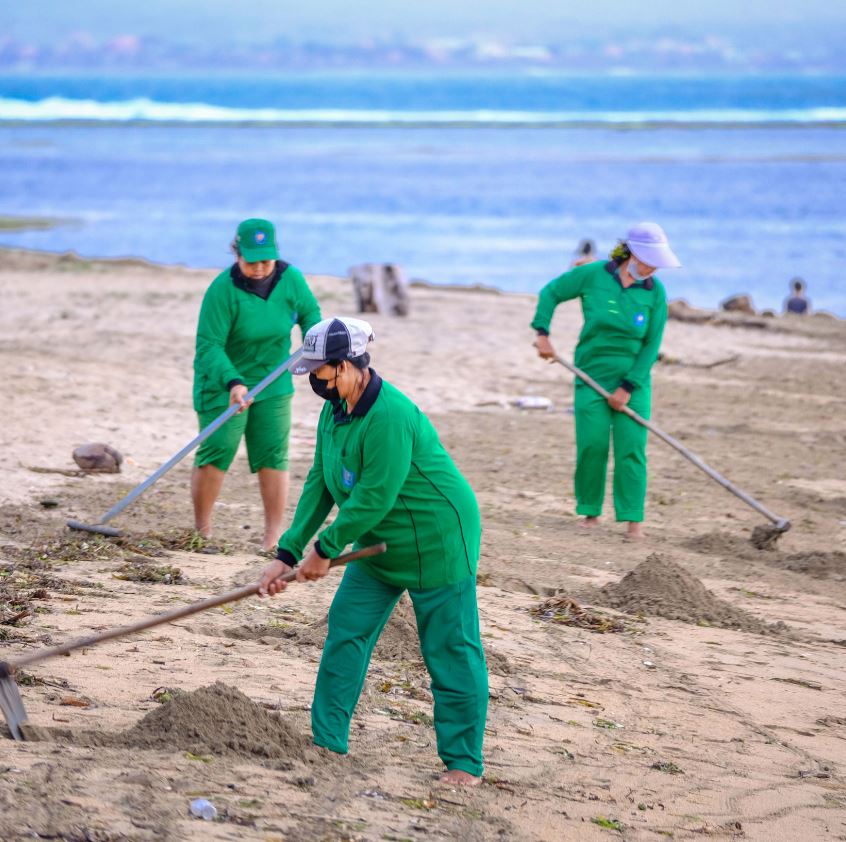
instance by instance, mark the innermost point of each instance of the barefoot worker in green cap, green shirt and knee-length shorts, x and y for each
(244, 332)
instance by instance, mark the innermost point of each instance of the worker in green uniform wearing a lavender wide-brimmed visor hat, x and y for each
(625, 310)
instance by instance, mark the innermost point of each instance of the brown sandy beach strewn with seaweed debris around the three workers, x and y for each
(644, 709)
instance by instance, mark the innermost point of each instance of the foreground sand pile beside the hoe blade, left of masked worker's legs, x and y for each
(217, 720)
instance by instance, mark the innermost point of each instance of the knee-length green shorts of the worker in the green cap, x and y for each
(265, 427)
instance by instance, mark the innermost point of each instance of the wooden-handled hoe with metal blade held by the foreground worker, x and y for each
(10, 697)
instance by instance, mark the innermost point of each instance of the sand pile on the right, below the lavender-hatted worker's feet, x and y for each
(664, 589)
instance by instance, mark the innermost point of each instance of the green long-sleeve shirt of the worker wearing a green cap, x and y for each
(243, 337)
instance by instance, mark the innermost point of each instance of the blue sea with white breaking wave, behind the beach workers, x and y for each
(465, 178)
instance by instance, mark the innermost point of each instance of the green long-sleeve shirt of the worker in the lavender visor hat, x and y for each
(623, 326)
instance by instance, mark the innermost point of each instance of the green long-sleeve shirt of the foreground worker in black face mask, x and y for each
(385, 469)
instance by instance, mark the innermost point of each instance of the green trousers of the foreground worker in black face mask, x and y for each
(448, 625)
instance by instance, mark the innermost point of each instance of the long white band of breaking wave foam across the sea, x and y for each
(147, 110)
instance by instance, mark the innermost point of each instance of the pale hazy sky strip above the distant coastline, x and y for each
(336, 21)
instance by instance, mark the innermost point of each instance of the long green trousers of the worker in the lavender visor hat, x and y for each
(595, 422)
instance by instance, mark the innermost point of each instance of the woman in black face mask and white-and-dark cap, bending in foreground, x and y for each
(379, 460)
